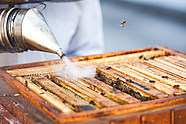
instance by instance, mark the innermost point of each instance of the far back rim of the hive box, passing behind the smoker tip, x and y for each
(79, 58)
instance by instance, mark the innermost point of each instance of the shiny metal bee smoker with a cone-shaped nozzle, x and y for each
(26, 29)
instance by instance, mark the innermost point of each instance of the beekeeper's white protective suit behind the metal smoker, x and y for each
(77, 27)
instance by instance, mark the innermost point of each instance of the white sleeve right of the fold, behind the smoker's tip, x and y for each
(88, 38)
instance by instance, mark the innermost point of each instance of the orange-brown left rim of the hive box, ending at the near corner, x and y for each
(32, 97)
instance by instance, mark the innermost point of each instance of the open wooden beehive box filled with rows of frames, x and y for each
(138, 86)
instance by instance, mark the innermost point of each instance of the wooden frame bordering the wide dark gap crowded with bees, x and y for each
(136, 86)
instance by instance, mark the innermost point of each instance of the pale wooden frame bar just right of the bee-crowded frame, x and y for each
(148, 80)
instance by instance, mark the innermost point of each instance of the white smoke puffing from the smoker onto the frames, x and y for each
(73, 71)
